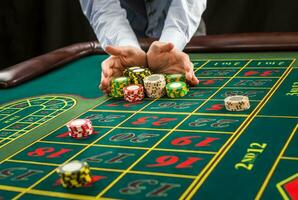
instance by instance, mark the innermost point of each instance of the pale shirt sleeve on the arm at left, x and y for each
(109, 22)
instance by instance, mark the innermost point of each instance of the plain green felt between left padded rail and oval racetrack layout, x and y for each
(70, 79)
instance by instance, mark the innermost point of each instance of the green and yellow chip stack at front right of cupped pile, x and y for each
(176, 89)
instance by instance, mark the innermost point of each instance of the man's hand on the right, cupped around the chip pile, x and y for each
(164, 58)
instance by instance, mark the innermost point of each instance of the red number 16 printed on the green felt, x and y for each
(174, 160)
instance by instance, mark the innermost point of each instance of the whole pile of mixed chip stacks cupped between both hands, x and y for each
(138, 81)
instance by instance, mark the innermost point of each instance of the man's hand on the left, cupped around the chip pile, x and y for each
(120, 58)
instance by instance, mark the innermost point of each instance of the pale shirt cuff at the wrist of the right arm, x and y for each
(175, 37)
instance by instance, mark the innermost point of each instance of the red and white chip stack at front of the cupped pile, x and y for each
(133, 93)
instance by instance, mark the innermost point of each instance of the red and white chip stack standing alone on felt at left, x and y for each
(80, 128)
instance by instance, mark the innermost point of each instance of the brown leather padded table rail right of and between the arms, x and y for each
(243, 42)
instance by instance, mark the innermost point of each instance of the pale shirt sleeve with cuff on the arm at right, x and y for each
(182, 21)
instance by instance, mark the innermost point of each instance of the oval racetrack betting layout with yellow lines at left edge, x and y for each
(20, 117)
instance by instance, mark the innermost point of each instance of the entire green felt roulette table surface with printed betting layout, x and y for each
(187, 148)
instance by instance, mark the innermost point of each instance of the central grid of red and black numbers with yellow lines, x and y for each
(150, 148)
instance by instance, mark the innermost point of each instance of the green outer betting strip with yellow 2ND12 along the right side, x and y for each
(261, 160)
